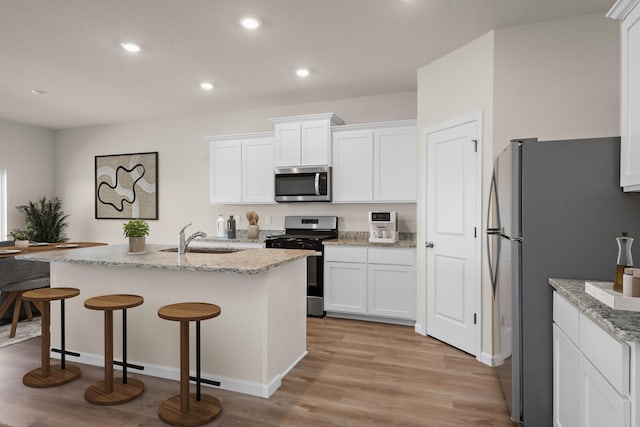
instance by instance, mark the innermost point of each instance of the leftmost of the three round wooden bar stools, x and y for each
(47, 375)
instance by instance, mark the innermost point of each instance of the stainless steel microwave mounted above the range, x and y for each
(303, 184)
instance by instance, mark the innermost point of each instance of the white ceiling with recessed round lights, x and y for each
(70, 48)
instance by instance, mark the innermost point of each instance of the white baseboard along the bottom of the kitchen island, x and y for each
(226, 383)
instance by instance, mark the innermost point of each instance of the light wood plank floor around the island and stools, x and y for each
(356, 374)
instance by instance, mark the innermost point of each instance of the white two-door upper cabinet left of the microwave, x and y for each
(241, 169)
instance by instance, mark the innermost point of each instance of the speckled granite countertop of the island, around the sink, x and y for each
(247, 261)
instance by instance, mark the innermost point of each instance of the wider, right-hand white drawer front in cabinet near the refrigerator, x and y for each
(608, 355)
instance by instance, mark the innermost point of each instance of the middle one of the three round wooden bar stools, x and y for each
(110, 392)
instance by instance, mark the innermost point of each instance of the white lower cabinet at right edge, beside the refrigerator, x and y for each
(591, 372)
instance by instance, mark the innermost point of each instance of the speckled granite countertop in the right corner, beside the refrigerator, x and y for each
(625, 325)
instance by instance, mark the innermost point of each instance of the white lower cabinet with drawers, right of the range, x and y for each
(376, 282)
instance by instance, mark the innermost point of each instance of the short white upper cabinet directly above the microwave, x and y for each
(304, 140)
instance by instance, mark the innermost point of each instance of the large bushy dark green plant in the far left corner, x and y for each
(46, 219)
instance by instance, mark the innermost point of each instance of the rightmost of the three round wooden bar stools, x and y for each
(189, 409)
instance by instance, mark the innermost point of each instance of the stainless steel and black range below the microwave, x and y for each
(308, 232)
